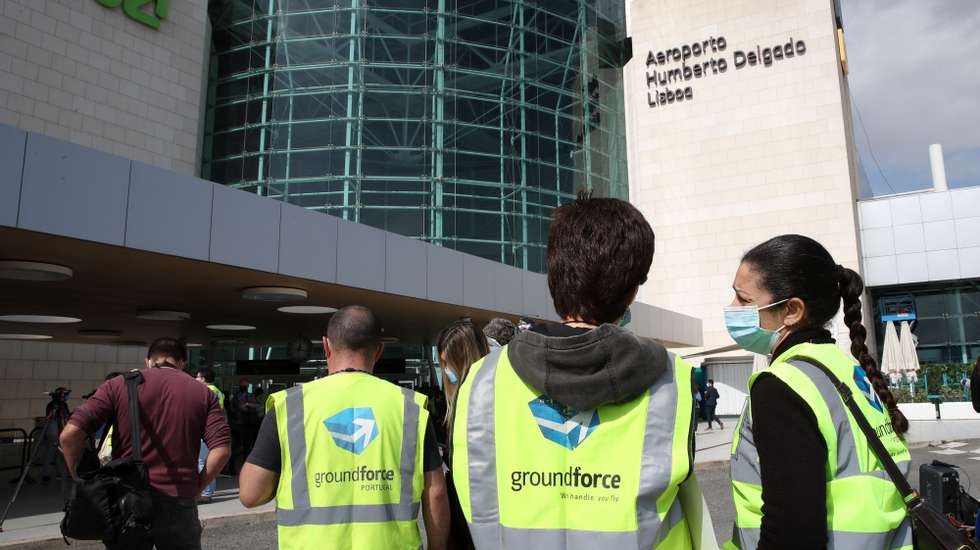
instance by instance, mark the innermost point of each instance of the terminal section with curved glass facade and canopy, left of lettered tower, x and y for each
(230, 172)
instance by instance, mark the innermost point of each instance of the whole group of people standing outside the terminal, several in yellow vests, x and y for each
(571, 434)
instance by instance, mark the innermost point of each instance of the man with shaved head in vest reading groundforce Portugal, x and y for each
(349, 458)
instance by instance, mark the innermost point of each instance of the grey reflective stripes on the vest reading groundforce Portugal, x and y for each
(304, 514)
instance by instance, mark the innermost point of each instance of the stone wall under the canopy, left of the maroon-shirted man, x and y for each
(29, 369)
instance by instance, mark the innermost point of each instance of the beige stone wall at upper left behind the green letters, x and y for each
(74, 70)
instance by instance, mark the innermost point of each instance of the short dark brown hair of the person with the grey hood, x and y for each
(599, 253)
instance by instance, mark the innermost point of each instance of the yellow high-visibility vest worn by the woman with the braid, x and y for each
(864, 509)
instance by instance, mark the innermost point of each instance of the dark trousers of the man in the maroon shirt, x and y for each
(175, 526)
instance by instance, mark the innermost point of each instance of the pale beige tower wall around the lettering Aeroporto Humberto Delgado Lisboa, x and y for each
(758, 151)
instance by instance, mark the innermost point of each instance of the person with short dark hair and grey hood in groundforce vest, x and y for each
(579, 434)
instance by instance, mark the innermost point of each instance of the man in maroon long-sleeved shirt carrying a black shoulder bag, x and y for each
(176, 413)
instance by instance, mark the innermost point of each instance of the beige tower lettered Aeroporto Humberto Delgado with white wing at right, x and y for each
(739, 129)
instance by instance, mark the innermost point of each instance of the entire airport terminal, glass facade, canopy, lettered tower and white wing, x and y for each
(231, 171)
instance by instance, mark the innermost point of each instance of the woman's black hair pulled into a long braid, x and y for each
(794, 266)
